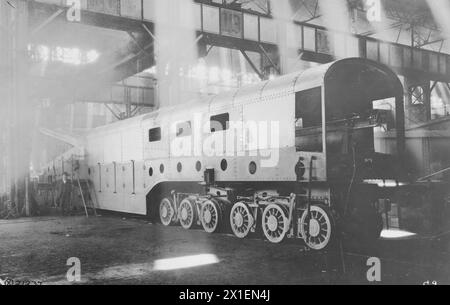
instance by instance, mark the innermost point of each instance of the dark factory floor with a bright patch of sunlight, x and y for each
(121, 250)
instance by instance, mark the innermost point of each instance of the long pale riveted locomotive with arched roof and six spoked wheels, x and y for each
(294, 157)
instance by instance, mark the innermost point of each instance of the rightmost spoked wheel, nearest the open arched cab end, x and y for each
(318, 229)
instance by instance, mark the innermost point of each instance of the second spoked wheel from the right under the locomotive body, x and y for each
(274, 223)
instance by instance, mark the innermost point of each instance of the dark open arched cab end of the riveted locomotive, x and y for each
(357, 99)
